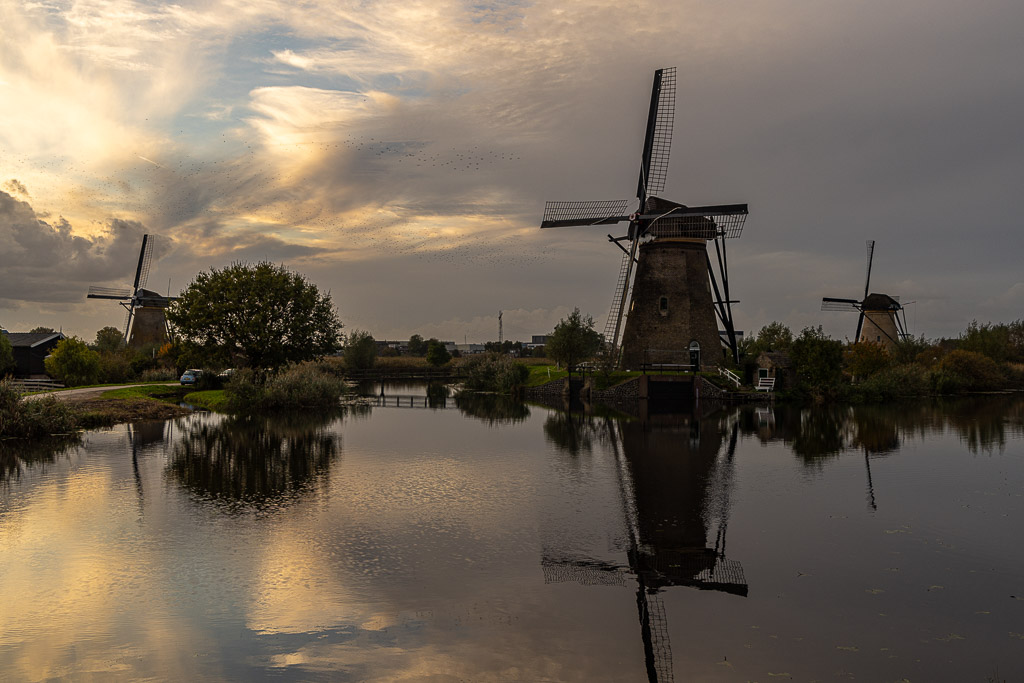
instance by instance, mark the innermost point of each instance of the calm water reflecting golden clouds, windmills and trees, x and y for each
(499, 542)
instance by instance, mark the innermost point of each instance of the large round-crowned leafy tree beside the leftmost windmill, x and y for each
(262, 316)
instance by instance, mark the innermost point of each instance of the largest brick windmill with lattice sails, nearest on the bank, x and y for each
(667, 277)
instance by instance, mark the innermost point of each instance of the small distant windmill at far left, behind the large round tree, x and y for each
(146, 322)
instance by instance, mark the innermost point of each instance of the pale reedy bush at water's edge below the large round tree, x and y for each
(296, 388)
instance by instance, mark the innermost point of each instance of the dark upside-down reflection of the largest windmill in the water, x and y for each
(674, 476)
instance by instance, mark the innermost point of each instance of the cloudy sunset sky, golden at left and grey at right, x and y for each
(400, 154)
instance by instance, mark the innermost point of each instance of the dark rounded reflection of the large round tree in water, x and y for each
(255, 462)
